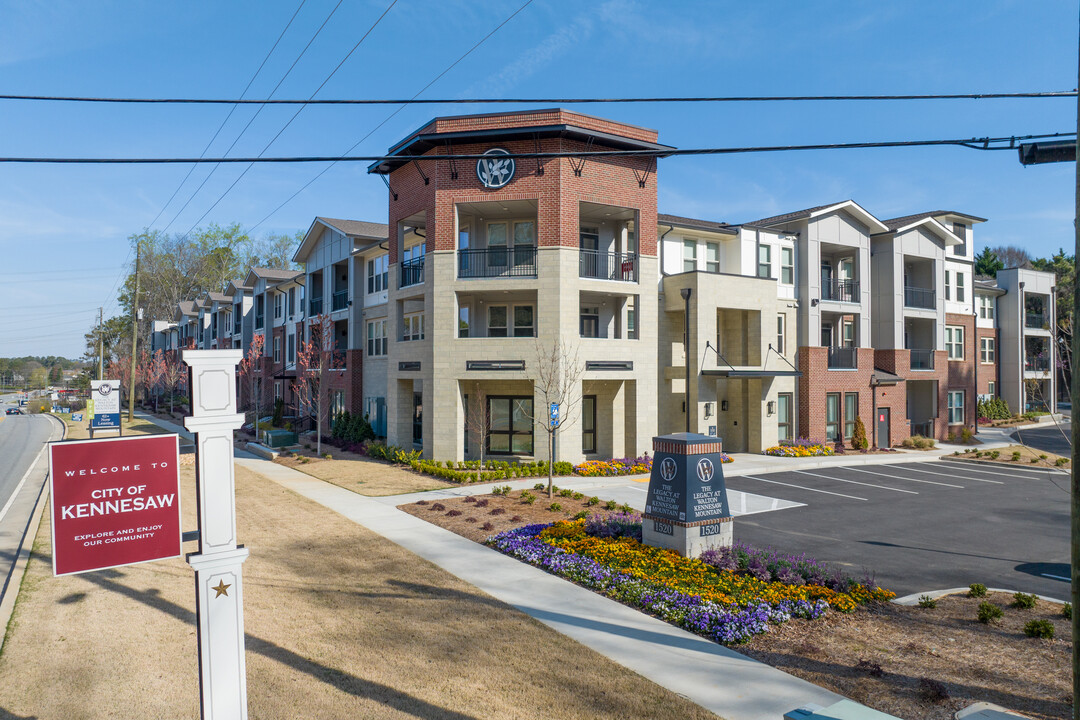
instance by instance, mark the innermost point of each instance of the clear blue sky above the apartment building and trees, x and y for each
(64, 229)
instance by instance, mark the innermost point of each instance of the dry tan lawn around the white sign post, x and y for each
(341, 623)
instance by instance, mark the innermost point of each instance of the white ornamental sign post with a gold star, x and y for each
(223, 677)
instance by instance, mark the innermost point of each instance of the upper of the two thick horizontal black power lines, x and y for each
(560, 101)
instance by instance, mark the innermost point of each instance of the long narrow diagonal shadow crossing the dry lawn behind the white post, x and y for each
(341, 681)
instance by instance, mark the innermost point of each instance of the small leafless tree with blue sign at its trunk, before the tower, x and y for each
(558, 386)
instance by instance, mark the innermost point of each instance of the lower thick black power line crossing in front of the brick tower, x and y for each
(973, 143)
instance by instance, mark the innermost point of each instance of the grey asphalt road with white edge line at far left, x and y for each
(22, 440)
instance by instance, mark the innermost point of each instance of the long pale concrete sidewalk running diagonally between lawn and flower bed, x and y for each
(722, 681)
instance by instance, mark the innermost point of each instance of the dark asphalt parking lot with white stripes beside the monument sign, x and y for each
(923, 526)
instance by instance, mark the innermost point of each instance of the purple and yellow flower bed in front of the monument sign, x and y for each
(724, 605)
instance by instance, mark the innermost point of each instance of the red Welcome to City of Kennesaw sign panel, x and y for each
(116, 501)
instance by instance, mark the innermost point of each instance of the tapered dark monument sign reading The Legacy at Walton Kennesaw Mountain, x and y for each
(687, 507)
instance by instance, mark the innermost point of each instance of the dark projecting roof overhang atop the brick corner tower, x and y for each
(420, 145)
